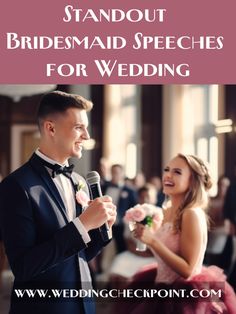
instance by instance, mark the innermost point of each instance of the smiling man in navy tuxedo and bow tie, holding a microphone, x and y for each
(47, 235)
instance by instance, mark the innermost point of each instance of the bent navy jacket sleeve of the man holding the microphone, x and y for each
(27, 256)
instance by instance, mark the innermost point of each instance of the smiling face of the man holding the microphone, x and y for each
(70, 132)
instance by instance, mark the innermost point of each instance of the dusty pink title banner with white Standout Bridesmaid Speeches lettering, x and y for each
(107, 42)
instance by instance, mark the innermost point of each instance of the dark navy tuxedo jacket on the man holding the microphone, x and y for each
(41, 245)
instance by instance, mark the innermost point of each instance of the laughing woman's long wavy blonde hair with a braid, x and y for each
(200, 183)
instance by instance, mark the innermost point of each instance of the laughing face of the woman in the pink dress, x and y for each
(176, 177)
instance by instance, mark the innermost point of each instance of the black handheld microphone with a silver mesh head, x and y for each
(93, 180)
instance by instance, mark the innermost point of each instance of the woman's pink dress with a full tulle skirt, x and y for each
(204, 278)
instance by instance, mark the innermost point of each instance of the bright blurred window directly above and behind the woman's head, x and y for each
(202, 103)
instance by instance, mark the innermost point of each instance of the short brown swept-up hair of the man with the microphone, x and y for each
(58, 102)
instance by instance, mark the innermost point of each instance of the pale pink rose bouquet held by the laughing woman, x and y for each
(146, 214)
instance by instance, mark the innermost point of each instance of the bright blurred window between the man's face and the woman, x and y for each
(122, 126)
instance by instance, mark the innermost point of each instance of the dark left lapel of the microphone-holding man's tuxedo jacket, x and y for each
(38, 166)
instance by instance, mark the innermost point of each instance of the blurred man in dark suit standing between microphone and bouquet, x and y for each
(124, 197)
